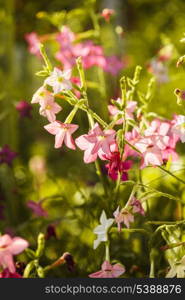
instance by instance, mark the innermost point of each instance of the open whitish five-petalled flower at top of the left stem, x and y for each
(59, 80)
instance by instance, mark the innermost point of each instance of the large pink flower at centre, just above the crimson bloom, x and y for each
(96, 143)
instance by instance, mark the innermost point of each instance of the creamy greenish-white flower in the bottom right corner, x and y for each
(177, 269)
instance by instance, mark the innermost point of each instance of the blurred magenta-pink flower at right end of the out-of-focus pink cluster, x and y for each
(113, 65)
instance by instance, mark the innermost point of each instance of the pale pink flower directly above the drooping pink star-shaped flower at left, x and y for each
(49, 108)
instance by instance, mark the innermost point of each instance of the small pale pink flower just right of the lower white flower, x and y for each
(123, 216)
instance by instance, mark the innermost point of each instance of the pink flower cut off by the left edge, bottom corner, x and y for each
(9, 247)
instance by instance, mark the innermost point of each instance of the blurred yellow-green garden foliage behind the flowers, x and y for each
(69, 189)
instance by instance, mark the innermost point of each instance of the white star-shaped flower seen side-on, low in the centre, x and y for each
(101, 230)
